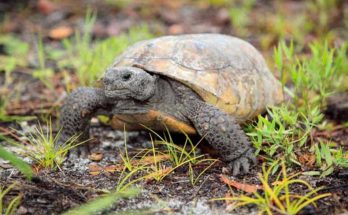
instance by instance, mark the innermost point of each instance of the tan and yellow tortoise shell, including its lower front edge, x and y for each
(225, 71)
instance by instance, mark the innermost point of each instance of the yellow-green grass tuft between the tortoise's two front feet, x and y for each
(157, 163)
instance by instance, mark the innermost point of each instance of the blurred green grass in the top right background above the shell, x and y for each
(312, 20)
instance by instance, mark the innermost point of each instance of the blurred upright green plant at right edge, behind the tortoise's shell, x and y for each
(314, 78)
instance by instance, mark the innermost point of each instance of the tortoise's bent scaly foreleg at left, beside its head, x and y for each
(77, 111)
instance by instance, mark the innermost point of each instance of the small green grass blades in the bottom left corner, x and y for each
(11, 207)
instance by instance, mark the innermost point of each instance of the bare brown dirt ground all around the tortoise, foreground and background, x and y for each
(52, 192)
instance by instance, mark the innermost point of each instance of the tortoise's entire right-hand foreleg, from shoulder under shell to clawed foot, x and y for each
(221, 131)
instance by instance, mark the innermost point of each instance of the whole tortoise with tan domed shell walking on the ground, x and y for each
(197, 83)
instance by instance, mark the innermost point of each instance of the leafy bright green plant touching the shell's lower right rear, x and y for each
(283, 130)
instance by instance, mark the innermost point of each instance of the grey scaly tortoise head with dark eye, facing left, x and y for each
(129, 83)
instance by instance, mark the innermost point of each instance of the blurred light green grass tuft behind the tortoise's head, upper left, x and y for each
(90, 61)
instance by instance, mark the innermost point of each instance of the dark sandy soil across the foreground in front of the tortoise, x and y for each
(55, 192)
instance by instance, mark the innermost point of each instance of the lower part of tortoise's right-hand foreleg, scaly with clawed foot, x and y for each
(226, 136)
